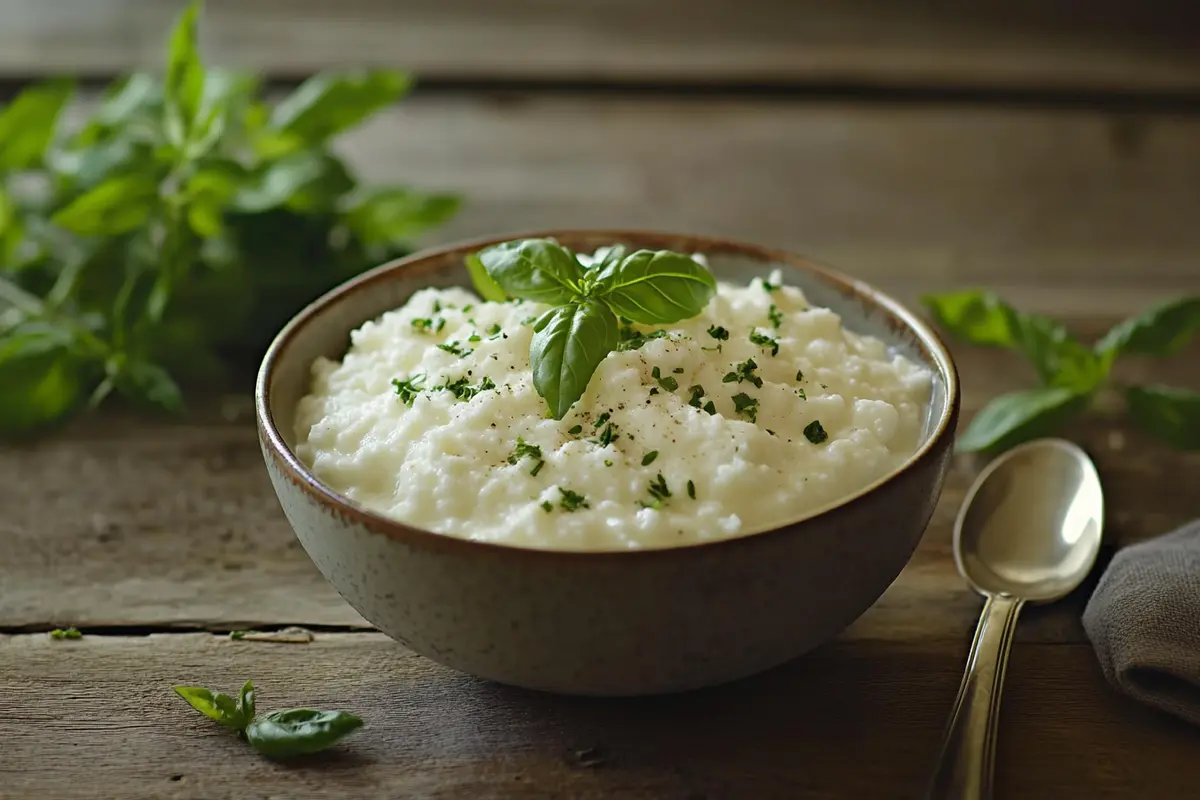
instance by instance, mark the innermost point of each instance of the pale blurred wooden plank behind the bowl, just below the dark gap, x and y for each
(1037, 203)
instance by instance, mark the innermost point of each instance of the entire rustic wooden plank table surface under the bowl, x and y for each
(1069, 177)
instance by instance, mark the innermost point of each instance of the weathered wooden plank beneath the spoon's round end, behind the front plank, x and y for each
(127, 521)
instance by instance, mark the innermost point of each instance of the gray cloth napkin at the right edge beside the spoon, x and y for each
(1144, 622)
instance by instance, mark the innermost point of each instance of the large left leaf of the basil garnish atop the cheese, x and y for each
(535, 269)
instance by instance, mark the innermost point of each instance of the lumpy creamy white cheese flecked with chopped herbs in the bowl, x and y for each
(445, 464)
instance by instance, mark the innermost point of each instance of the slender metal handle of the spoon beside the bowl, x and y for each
(965, 766)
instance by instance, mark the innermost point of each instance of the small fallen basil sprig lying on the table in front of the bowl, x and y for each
(278, 735)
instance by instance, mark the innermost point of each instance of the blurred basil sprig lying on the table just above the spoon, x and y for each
(1072, 374)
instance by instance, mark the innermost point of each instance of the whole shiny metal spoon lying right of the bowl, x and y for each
(1029, 531)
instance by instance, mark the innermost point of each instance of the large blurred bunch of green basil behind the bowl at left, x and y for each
(170, 236)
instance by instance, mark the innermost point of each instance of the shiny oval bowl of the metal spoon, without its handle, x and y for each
(1031, 525)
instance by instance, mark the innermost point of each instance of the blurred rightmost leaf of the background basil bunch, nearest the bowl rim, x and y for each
(394, 216)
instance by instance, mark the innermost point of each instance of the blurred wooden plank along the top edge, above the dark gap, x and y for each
(992, 44)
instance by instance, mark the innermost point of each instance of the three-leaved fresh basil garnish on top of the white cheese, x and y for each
(583, 328)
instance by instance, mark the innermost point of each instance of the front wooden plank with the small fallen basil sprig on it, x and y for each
(859, 719)
